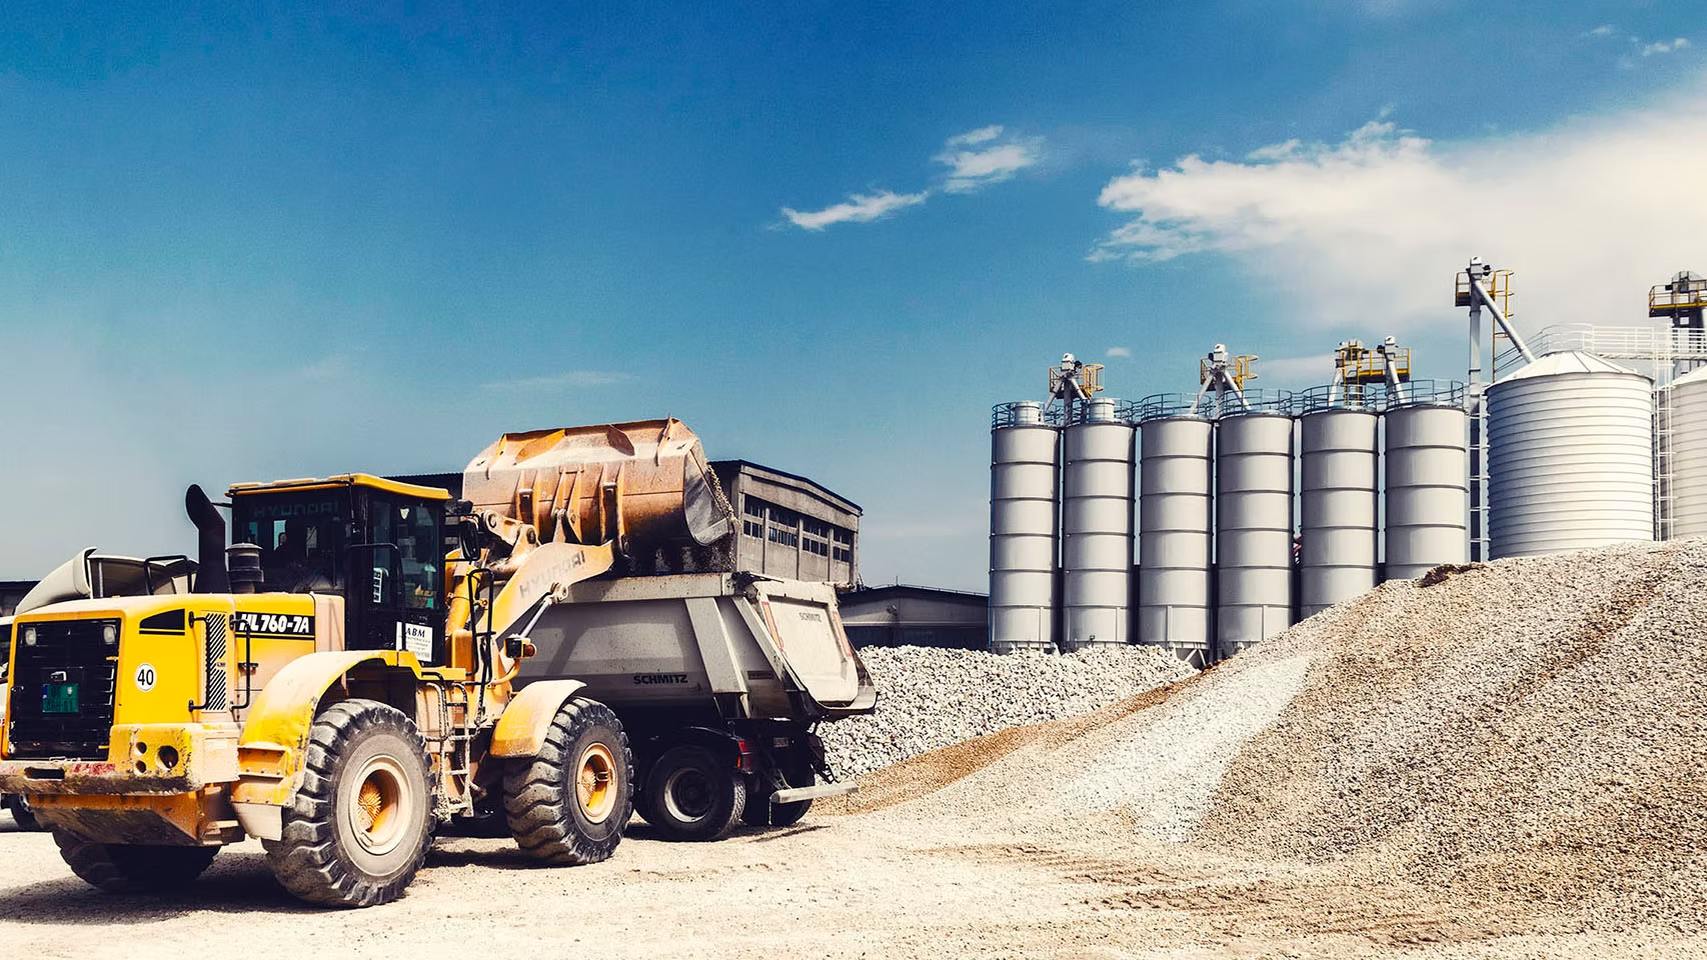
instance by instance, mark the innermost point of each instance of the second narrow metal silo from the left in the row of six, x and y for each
(1097, 527)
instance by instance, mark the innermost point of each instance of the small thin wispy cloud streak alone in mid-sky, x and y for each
(974, 160)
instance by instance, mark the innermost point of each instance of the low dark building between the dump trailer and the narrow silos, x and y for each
(916, 616)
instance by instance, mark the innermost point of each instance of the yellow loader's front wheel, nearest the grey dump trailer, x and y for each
(571, 804)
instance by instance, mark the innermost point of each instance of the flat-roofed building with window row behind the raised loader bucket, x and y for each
(791, 527)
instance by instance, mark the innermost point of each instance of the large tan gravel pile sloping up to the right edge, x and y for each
(1530, 732)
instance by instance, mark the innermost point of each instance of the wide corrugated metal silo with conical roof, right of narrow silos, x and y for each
(1571, 459)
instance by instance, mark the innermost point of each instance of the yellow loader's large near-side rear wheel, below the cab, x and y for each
(361, 824)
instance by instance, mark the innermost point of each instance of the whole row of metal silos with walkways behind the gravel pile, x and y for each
(1206, 524)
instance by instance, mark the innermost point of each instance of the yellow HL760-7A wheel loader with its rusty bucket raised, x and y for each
(341, 681)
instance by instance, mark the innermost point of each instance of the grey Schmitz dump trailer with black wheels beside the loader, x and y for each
(720, 679)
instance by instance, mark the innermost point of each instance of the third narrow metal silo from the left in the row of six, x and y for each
(1175, 532)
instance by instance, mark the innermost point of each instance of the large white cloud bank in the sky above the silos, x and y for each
(1588, 214)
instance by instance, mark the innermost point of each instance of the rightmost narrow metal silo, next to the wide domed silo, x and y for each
(1428, 483)
